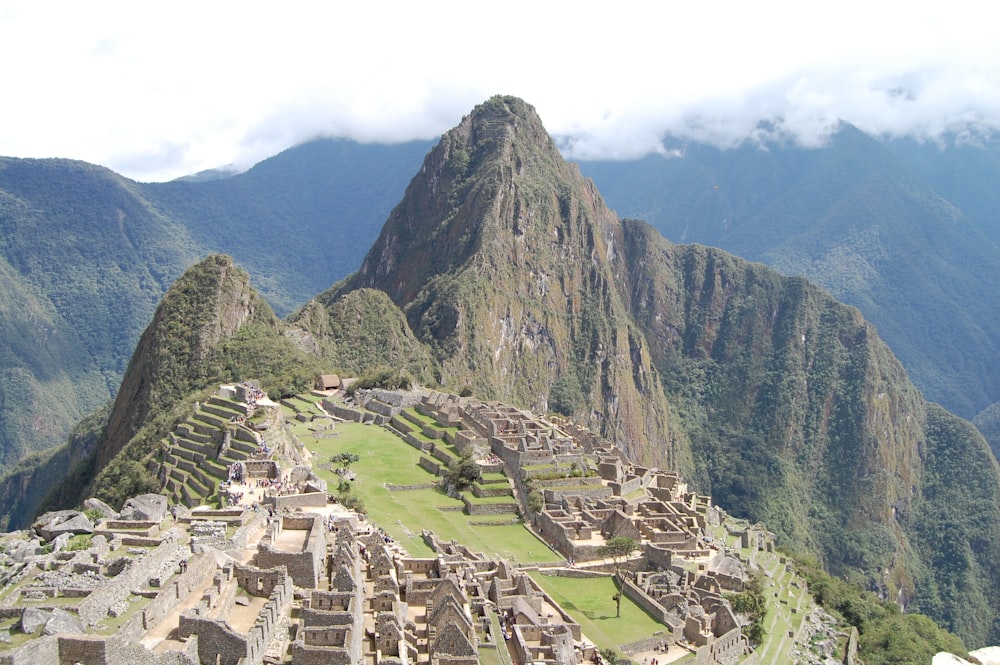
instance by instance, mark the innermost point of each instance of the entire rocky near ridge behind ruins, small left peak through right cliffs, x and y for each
(508, 275)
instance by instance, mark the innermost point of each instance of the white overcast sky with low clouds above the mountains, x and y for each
(156, 90)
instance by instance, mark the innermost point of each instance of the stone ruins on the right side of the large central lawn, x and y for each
(679, 575)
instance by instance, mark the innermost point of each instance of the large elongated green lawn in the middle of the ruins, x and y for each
(386, 458)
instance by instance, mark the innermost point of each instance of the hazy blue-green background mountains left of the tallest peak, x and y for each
(86, 254)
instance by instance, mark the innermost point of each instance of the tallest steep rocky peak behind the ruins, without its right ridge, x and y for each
(503, 258)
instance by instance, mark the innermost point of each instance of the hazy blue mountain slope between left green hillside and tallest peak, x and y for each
(300, 220)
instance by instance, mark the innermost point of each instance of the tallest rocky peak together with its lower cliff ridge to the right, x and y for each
(780, 401)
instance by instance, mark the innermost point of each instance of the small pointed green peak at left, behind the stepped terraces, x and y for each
(211, 327)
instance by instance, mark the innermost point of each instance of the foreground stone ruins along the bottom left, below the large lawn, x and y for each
(315, 591)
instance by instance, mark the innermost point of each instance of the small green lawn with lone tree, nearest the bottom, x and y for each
(589, 601)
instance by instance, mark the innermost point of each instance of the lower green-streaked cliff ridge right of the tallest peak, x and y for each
(801, 417)
